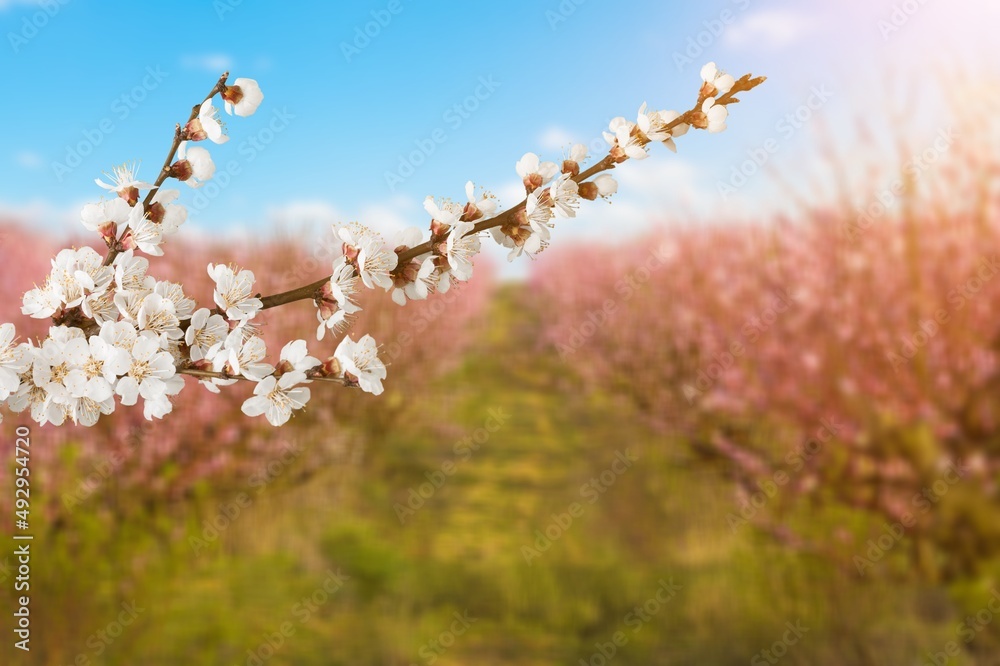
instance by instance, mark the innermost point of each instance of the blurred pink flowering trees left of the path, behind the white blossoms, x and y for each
(215, 442)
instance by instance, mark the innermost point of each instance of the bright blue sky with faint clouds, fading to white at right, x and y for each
(352, 110)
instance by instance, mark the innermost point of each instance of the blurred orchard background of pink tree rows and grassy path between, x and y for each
(809, 404)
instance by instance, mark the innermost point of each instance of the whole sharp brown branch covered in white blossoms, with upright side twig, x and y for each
(118, 334)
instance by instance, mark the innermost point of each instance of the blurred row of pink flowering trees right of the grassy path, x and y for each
(843, 365)
